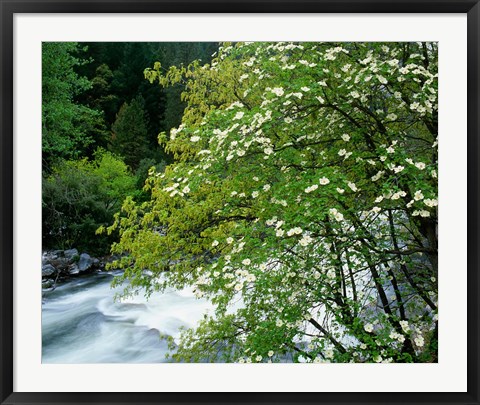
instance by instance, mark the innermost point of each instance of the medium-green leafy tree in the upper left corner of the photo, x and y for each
(68, 128)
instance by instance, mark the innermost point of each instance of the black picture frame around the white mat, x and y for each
(10, 7)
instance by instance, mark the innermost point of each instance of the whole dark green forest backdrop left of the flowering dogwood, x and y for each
(95, 99)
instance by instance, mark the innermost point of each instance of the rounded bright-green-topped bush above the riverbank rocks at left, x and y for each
(79, 196)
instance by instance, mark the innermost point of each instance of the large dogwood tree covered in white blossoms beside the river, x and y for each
(302, 203)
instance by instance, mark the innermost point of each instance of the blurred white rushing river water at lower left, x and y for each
(81, 323)
